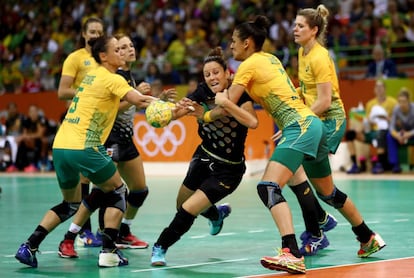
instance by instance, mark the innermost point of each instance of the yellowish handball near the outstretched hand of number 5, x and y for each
(159, 113)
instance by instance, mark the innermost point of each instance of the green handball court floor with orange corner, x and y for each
(386, 202)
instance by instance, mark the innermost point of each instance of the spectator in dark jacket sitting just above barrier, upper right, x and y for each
(380, 66)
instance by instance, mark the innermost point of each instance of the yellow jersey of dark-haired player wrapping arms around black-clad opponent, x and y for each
(266, 82)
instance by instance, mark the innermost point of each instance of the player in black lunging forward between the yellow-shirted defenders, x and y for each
(217, 165)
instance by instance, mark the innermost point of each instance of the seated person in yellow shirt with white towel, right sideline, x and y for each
(373, 131)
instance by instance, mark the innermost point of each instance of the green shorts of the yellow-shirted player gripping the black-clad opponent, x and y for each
(307, 137)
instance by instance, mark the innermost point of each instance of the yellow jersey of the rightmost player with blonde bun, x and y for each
(318, 67)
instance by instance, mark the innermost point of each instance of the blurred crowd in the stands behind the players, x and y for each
(172, 36)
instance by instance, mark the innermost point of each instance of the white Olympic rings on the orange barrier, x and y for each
(155, 140)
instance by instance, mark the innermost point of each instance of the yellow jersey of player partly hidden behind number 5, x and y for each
(77, 64)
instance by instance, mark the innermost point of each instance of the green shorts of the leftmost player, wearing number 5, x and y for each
(94, 163)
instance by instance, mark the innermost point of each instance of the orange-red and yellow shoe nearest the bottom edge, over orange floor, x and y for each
(285, 261)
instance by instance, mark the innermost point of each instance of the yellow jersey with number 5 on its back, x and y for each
(93, 110)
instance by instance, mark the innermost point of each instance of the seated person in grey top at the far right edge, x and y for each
(401, 128)
